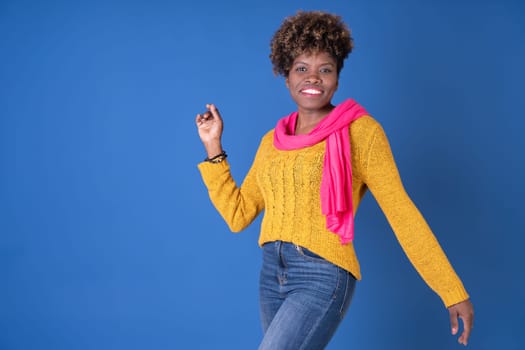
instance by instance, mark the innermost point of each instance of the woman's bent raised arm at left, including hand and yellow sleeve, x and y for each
(238, 206)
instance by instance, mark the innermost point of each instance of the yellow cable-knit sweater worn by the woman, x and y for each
(286, 185)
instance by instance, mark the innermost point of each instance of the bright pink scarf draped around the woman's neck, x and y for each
(336, 182)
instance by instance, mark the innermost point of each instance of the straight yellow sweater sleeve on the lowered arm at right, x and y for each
(409, 226)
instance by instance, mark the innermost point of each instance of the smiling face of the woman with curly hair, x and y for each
(312, 82)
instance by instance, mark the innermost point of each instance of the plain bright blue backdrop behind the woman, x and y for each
(107, 237)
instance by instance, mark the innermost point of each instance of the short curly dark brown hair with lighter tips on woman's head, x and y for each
(310, 32)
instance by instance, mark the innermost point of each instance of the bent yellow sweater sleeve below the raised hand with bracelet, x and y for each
(238, 206)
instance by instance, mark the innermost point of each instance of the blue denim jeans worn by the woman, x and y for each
(303, 297)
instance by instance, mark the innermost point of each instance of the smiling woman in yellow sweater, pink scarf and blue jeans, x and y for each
(309, 176)
